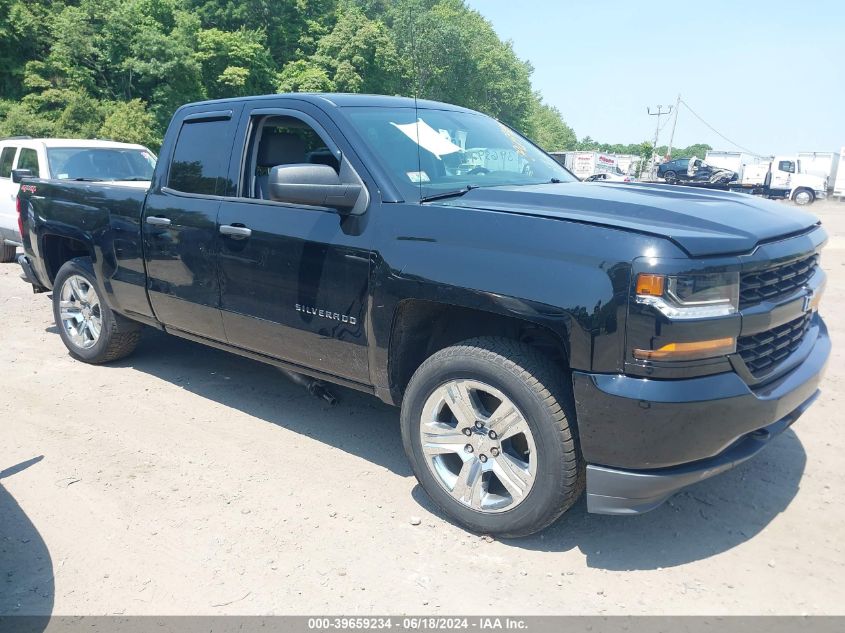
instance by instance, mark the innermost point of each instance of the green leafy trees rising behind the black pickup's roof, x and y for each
(118, 69)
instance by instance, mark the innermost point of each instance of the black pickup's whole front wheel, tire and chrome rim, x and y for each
(488, 426)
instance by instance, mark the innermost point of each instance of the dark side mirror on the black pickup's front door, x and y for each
(314, 185)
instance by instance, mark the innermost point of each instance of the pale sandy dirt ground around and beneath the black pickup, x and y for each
(185, 480)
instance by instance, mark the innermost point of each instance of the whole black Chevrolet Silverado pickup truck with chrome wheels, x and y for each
(541, 335)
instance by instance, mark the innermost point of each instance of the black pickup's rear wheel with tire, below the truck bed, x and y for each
(90, 330)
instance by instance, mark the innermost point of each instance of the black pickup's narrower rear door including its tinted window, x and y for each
(181, 241)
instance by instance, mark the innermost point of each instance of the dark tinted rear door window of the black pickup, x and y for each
(201, 158)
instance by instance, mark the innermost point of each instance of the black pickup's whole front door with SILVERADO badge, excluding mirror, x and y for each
(294, 279)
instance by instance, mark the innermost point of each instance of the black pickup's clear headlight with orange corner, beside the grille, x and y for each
(690, 296)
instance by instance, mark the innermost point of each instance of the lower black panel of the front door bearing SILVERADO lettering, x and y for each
(296, 288)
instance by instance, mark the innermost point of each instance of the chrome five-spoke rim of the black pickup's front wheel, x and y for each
(478, 446)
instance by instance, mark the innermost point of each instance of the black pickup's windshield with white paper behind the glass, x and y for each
(437, 151)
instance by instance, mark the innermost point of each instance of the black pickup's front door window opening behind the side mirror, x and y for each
(283, 140)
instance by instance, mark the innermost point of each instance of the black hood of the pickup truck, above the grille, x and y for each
(701, 221)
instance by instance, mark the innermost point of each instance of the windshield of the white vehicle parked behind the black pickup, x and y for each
(101, 163)
